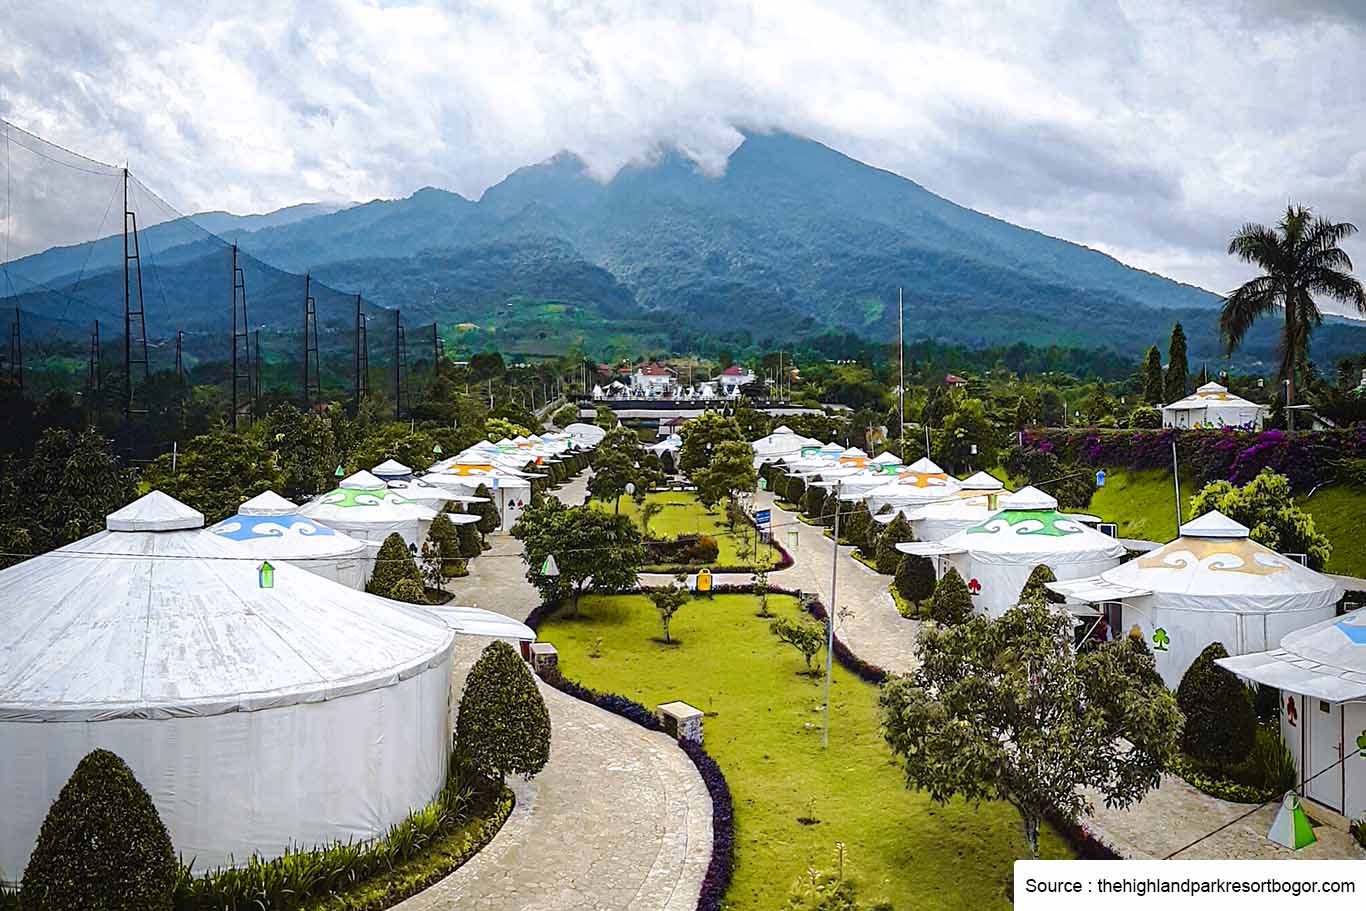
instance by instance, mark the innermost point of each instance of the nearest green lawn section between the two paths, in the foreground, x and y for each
(764, 729)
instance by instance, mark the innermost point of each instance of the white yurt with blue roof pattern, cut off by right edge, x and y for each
(1322, 675)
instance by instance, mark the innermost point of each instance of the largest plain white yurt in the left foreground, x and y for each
(263, 708)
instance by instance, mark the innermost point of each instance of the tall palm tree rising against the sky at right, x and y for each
(1300, 259)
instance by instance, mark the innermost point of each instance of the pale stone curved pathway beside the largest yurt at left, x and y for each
(618, 820)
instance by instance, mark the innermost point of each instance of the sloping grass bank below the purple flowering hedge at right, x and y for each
(1145, 507)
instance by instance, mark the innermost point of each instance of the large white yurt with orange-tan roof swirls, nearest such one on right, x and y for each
(1214, 584)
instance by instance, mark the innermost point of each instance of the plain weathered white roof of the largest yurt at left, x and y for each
(148, 623)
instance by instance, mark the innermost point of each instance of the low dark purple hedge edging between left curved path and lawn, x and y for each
(722, 865)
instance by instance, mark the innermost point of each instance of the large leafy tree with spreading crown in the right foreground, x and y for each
(1006, 711)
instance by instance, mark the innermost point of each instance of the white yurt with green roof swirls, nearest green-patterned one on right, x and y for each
(996, 557)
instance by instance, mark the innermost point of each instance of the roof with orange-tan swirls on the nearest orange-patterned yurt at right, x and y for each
(1223, 569)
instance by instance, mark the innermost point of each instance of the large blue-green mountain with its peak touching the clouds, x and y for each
(790, 241)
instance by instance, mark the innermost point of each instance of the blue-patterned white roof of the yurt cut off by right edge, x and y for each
(1326, 660)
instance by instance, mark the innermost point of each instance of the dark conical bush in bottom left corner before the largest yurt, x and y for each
(102, 846)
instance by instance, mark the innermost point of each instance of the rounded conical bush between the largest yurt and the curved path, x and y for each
(503, 726)
